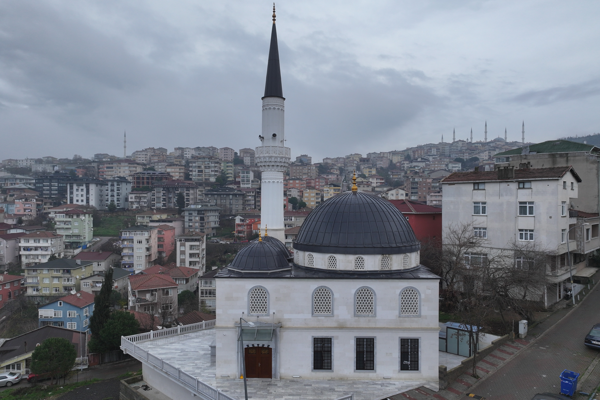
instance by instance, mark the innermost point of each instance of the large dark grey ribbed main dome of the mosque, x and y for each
(356, 223)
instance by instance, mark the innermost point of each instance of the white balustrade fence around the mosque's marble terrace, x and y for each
(204, 391)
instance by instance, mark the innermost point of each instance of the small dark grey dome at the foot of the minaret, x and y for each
(260, 256)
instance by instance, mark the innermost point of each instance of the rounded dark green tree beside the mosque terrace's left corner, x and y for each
(120, 323)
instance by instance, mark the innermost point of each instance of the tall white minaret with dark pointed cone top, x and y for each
(272, 157)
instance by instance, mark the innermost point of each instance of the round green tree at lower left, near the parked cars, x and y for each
(55, 356)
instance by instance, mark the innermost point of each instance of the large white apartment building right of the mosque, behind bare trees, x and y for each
(515, 207)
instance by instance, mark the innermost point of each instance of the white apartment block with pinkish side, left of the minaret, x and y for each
(140, 249)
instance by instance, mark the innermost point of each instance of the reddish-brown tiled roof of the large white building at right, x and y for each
(520, 174)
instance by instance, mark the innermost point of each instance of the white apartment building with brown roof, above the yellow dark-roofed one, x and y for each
(37, 247)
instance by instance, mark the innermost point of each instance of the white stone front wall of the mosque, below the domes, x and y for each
(290, 304)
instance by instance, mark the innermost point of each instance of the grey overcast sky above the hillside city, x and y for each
(358, 76)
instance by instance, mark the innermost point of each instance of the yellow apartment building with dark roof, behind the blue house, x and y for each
(55, 278)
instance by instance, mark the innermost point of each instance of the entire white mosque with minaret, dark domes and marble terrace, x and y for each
(352, 310)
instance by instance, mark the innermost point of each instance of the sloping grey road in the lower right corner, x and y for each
(537, 368)
